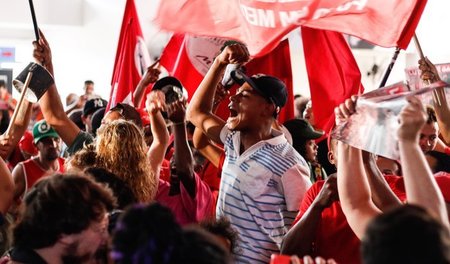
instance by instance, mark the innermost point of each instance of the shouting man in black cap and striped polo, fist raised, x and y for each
(263, 178)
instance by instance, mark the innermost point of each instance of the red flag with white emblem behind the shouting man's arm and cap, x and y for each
(188, 59)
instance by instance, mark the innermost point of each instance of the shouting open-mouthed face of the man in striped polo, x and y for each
(247, 109)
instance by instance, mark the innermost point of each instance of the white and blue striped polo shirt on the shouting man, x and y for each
(260, 193)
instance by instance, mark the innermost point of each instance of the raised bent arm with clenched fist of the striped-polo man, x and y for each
(200, 108)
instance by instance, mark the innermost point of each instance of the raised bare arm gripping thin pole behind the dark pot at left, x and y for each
(51, 105)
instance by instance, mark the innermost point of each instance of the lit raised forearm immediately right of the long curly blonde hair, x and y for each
(154, 105)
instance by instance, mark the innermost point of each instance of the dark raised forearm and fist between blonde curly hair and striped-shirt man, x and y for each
(184, 161)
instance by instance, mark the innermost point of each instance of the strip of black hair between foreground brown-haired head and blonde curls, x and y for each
(120, 189)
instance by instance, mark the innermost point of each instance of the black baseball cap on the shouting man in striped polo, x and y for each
(268, 86)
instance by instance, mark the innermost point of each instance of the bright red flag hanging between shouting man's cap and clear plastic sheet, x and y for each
(332, 72)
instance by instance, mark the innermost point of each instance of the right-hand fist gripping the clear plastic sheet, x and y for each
(411, 119)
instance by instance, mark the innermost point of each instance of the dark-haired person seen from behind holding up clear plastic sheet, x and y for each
(417, 232)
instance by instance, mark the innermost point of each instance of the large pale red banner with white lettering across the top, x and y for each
(262, 24)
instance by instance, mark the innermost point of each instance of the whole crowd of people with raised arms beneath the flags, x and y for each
(175, 183)
